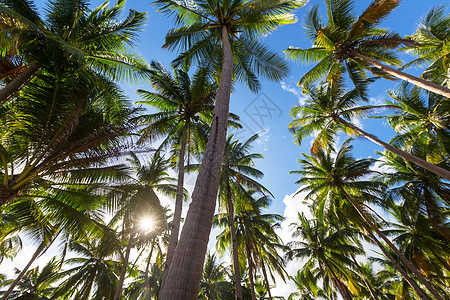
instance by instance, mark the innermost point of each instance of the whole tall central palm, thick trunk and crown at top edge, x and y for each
(210, 29)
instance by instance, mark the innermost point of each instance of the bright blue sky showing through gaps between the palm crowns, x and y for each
(268, 111)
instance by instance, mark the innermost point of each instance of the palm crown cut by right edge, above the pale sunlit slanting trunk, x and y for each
(432, 34)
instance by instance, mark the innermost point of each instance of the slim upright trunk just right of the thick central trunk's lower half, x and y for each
(234, 249)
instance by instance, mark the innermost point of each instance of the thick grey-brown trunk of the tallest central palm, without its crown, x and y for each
(185, 272)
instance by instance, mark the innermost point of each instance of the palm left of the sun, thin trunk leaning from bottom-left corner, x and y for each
(51, 214)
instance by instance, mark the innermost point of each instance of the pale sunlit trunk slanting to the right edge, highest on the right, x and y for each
(427, 85)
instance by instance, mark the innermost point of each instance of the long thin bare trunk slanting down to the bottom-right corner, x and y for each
(416, 272)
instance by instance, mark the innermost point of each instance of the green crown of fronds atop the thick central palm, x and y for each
(199, 37)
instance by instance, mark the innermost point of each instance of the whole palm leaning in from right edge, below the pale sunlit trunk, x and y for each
(329, 109)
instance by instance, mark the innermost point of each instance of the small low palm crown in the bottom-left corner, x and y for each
(38, 283)
